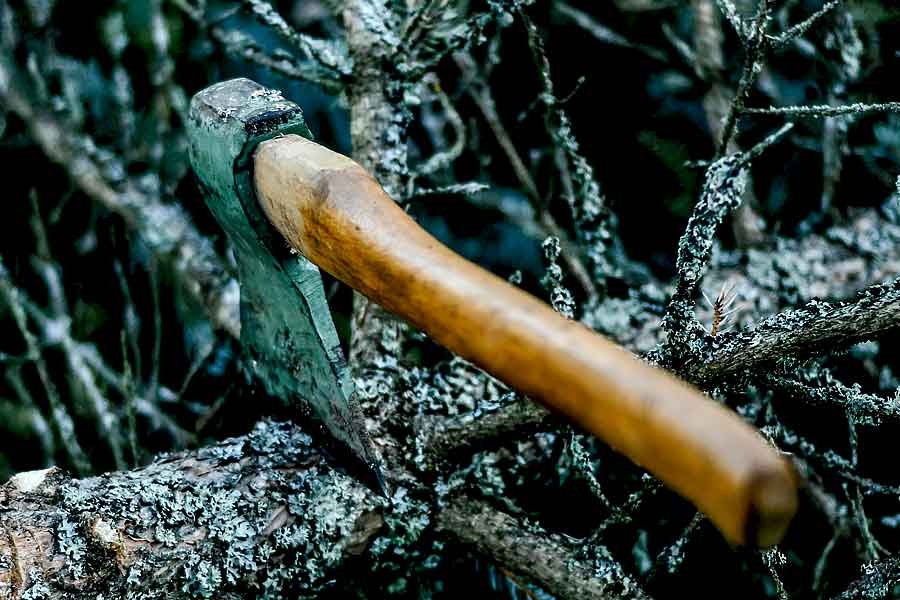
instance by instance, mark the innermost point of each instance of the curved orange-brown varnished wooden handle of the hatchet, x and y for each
(332, 211)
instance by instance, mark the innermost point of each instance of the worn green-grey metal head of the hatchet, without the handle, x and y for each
(287, 332)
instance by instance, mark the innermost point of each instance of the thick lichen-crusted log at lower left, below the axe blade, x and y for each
(257, 516)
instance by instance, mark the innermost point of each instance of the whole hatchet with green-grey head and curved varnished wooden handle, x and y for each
(290, 205)
